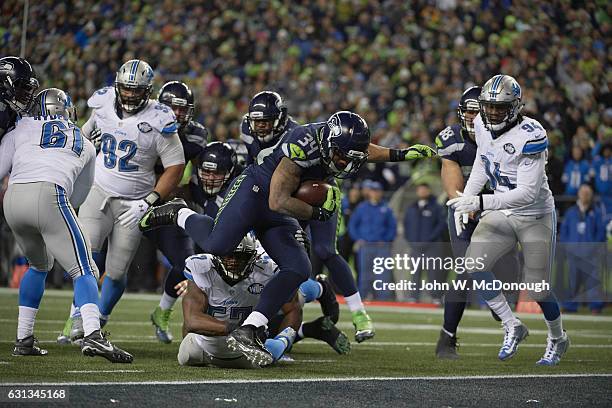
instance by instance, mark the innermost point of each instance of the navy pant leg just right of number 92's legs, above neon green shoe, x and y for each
(176, 246)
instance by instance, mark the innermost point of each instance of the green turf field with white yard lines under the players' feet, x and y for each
(403, 347)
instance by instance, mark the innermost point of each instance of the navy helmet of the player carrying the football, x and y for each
(344, 142)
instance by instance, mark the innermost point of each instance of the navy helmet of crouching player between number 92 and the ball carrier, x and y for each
(216, 164)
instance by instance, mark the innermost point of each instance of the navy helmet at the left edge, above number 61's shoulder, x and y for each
(18, 83)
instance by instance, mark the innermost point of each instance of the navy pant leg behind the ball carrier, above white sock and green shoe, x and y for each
(323, 236)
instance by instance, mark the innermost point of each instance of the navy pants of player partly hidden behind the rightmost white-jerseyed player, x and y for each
(507, 269)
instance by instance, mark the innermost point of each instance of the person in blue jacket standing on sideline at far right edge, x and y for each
(583, 232)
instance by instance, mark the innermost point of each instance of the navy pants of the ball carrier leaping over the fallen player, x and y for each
(245, 208)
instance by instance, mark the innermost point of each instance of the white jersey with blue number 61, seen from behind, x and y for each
(45, 148)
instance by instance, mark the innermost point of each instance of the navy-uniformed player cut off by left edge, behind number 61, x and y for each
(18, 85)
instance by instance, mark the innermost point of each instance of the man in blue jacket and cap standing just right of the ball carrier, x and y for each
(373, 228)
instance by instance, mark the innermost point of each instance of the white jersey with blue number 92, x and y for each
(131, 146)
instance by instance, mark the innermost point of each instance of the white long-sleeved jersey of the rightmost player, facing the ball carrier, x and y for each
(514, 164)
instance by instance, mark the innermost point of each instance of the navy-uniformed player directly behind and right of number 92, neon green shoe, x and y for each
(174, 243)
